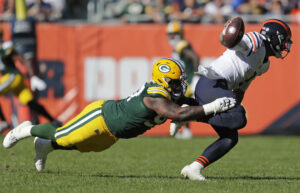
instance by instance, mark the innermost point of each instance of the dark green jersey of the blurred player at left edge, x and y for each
(7, 64)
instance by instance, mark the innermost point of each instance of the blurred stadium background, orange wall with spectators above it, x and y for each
(103, 49)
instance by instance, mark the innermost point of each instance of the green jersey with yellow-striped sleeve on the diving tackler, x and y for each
(130, 117)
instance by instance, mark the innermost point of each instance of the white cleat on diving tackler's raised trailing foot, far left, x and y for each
(15, 135)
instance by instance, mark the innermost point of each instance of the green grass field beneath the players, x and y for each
(153, 164)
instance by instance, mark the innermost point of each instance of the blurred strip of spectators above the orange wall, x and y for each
(156, 11)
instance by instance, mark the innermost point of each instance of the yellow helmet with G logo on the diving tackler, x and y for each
(170, 73)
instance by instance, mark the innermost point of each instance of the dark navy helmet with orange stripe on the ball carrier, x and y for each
(278, 34)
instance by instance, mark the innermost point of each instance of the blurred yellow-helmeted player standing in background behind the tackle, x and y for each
(183, 51)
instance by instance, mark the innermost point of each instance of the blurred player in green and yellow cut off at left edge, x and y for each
(12, 81)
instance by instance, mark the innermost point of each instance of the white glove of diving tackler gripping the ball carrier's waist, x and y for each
(219, 105)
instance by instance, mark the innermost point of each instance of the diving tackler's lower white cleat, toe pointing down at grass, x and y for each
(42, 148)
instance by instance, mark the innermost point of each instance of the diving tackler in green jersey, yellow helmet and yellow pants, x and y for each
(102, 123)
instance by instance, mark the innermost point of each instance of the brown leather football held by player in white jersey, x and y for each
(233, 32)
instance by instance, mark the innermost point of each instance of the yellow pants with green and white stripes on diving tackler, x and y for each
(87, 131)
